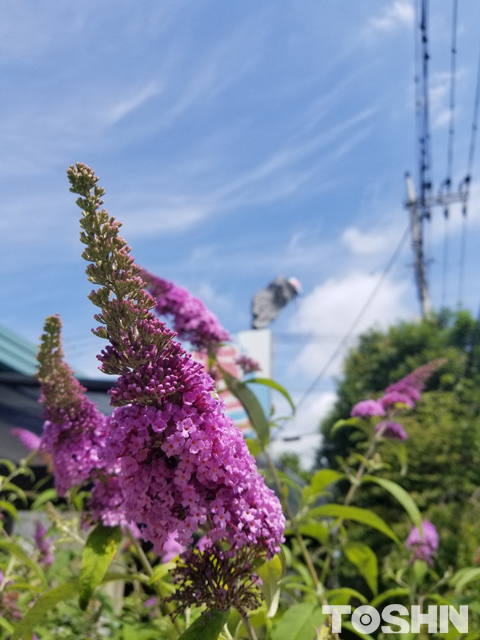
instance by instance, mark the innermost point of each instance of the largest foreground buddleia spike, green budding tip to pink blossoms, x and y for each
(184, 466)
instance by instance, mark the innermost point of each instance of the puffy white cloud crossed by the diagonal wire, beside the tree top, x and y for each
(331, 308)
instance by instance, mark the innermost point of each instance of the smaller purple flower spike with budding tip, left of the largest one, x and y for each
(74, 433)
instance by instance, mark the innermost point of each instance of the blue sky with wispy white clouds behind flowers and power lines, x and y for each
(236, 141)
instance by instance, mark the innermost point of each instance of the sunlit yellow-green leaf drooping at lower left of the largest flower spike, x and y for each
(99, 550)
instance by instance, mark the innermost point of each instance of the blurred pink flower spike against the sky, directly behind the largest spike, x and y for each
(192, 320)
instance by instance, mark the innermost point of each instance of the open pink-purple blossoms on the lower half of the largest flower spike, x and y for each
(185, 465)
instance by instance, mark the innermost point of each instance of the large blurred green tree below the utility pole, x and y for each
(439, 464)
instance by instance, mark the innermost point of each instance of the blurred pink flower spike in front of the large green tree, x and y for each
(401, 395)
